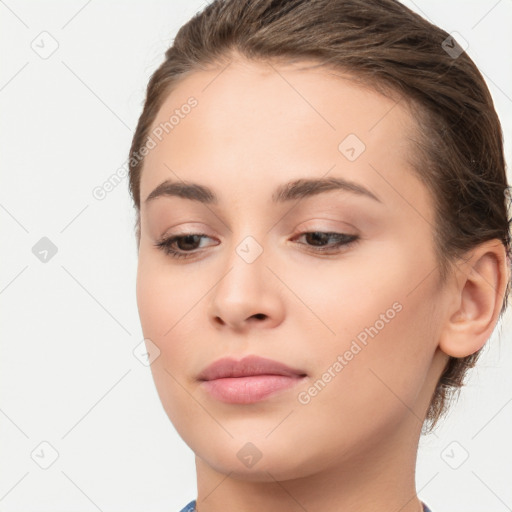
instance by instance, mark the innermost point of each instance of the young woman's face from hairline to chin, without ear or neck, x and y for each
(359, 321)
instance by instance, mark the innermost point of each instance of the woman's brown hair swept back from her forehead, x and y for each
(389, 48)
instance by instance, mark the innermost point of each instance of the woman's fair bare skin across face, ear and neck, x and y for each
(353, 446)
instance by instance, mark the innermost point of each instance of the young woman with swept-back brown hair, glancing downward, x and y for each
(323, 243)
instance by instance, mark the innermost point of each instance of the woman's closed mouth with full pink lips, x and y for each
(249, 380)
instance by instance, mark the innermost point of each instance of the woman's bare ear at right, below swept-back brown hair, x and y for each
(477, 292)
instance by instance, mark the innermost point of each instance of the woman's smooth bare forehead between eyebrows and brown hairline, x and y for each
(256, 121)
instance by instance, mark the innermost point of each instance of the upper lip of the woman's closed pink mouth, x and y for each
(249, 365)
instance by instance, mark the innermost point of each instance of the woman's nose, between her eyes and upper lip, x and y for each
(247, 296)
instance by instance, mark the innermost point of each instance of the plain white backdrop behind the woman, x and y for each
(74, 397)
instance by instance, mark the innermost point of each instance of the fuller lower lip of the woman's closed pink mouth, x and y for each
(247, 390)
